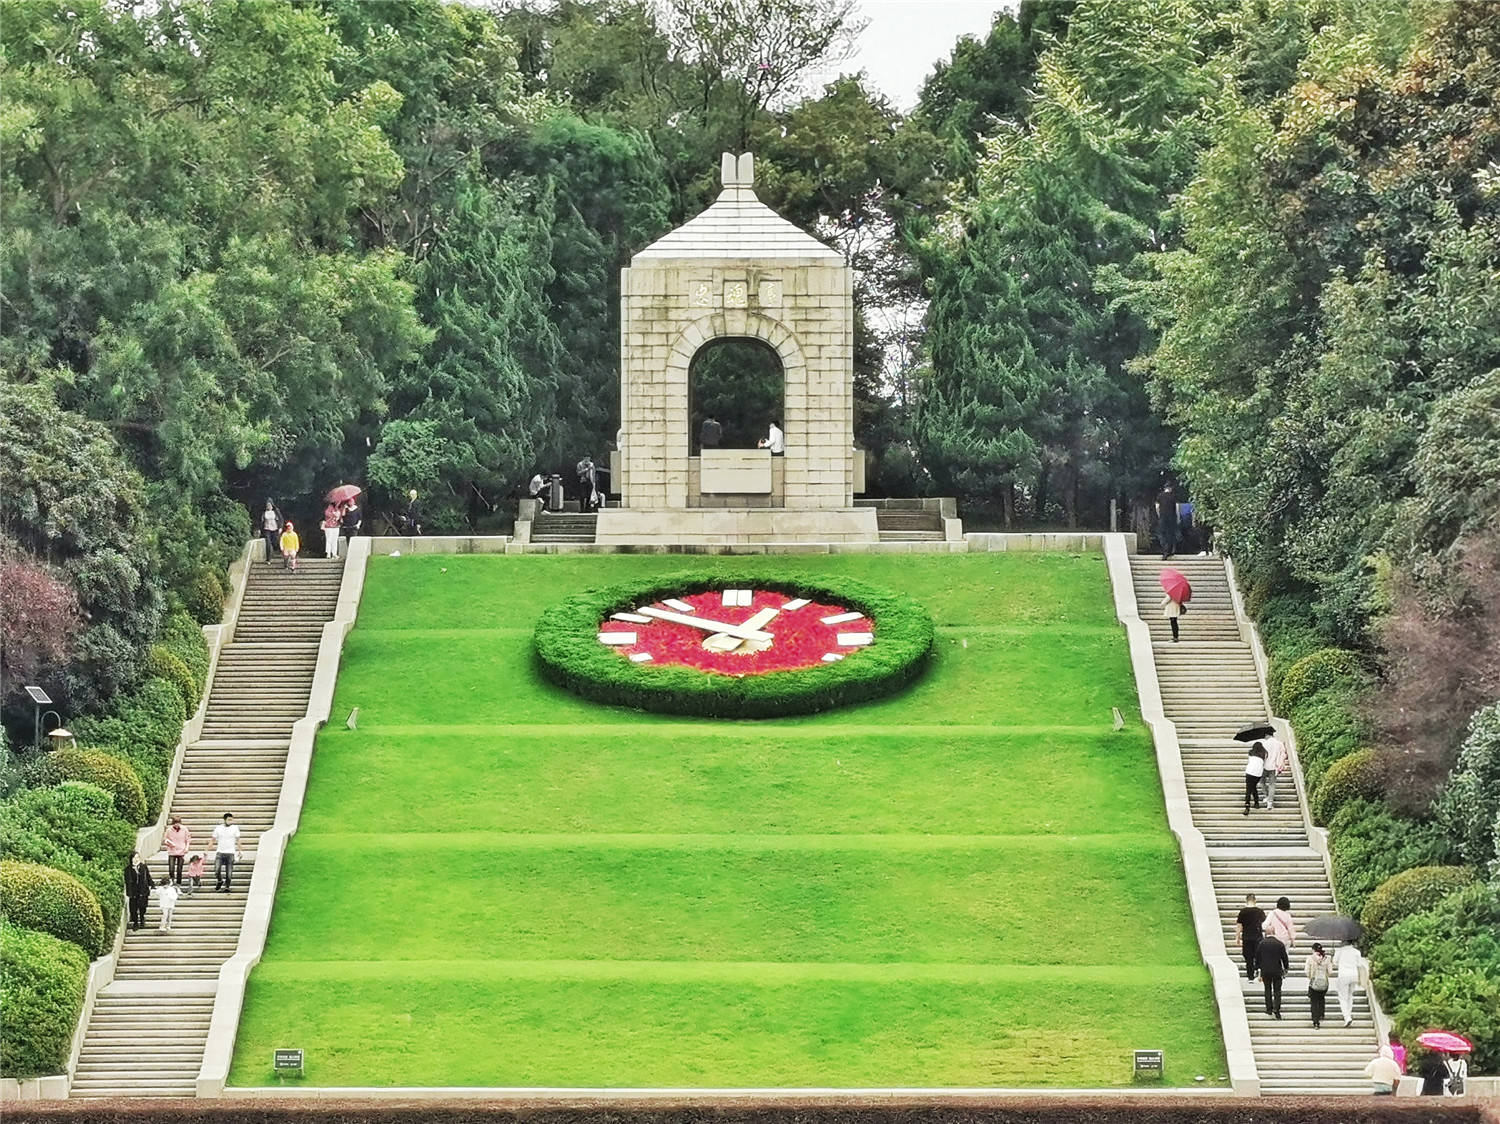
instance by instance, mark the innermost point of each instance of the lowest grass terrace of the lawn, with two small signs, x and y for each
(482, 1030)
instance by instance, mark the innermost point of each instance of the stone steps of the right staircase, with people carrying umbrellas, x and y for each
(1210, 688)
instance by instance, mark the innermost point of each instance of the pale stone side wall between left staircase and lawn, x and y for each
(271, 849)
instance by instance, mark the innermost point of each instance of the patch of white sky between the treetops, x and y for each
(905, 38)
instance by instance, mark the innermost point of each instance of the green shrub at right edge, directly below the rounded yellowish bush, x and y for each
(1460, 931)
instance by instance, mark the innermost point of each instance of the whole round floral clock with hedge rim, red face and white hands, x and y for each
(734, 646)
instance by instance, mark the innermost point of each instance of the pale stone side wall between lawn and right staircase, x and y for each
(1202, 900)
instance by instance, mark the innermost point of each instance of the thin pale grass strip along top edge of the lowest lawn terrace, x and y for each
(755, 973)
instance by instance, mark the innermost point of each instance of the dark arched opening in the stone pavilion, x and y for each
(739, 385)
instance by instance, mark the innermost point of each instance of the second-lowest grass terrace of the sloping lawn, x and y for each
(356, 900)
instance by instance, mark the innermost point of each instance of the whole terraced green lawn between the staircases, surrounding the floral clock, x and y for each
(500, 885)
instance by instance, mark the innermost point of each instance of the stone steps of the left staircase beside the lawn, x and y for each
(148, 1032)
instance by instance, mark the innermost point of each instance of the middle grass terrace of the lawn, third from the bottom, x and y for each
(737, 778)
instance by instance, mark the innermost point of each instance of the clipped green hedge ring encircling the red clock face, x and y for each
(571, 657)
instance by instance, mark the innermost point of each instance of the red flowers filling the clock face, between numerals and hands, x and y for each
(800, 639)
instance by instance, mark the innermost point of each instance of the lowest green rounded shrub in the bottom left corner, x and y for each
(43, 994)
